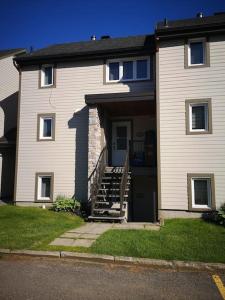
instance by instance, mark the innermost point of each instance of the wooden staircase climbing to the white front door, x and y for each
(109, 193)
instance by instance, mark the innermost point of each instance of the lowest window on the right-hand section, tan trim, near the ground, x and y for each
(201, 191)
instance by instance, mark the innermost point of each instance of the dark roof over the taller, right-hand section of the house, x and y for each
(210, 22)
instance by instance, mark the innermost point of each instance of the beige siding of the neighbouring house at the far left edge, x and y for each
(9, 85)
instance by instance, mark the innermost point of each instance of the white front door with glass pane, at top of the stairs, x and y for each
(121, 135)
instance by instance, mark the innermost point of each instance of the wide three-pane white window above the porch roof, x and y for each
(128, 70)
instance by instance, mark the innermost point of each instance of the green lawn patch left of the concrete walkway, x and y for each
(32, 228)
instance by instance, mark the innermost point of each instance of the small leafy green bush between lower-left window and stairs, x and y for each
(63, 203)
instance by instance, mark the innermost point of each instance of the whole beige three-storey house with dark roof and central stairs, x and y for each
(133, 125)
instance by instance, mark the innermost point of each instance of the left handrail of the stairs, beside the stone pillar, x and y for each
(95, 178)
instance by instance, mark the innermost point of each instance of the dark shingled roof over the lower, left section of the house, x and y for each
(91, 48)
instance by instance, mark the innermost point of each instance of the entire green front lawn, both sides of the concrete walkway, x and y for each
(179, 239)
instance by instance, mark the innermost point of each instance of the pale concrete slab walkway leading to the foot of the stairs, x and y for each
(87, 234)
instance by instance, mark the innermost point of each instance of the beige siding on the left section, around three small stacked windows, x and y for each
(67, 156)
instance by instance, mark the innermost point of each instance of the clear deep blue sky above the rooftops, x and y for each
(38, 23)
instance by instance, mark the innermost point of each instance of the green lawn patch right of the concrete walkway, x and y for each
(180, 239)
